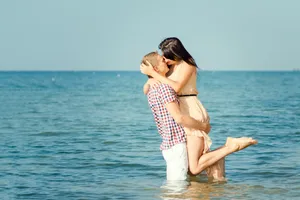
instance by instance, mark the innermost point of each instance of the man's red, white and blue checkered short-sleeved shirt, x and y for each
(170, 132)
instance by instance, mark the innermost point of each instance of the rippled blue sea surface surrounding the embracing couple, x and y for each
(91, 135)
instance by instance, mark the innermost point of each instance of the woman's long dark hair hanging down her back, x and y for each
(173, 49)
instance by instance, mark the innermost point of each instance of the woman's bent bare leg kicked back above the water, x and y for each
(198, 162)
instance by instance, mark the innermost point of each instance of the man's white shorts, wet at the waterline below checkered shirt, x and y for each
(177, 162)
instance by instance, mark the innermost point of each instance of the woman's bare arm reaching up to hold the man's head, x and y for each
(185, 74)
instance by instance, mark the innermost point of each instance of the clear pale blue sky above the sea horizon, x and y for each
(116, 34)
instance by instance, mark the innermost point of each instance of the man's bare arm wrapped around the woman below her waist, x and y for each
(186, 120)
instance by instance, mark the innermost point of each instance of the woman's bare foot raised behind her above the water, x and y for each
(237, 144)
